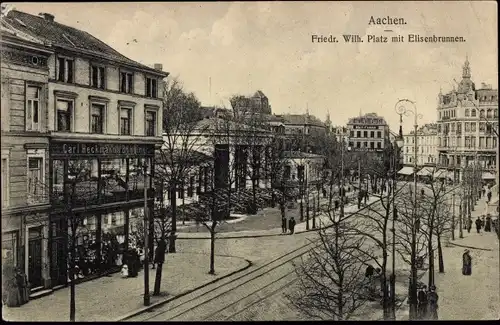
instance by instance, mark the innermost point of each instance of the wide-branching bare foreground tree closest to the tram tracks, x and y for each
(331, 281)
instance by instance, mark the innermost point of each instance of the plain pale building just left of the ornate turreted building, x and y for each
(427, 153)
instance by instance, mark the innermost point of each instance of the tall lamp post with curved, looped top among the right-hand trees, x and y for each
(401, 109)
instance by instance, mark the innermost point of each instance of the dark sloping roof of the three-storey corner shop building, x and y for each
(63, 36)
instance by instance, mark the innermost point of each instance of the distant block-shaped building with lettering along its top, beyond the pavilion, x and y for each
(368, 133)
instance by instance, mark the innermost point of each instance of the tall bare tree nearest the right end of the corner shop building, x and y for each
(182, 135)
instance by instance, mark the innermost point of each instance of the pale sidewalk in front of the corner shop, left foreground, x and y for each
(111, 298)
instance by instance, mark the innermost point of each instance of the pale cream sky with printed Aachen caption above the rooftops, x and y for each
(221, 49)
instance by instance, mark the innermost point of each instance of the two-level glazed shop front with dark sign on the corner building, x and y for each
(97, 195)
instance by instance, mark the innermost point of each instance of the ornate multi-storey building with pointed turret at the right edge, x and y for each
(467, 122)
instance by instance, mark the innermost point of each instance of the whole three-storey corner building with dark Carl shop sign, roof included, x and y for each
(104, 114)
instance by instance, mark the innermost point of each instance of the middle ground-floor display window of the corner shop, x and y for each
(112, 238)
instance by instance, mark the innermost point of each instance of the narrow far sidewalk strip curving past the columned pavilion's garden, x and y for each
(299, 228)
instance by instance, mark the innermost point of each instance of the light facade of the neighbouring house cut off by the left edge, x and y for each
(25, 144)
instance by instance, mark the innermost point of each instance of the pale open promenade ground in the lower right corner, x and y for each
(475, 297)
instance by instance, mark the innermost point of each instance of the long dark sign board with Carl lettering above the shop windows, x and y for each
(101, 149)
